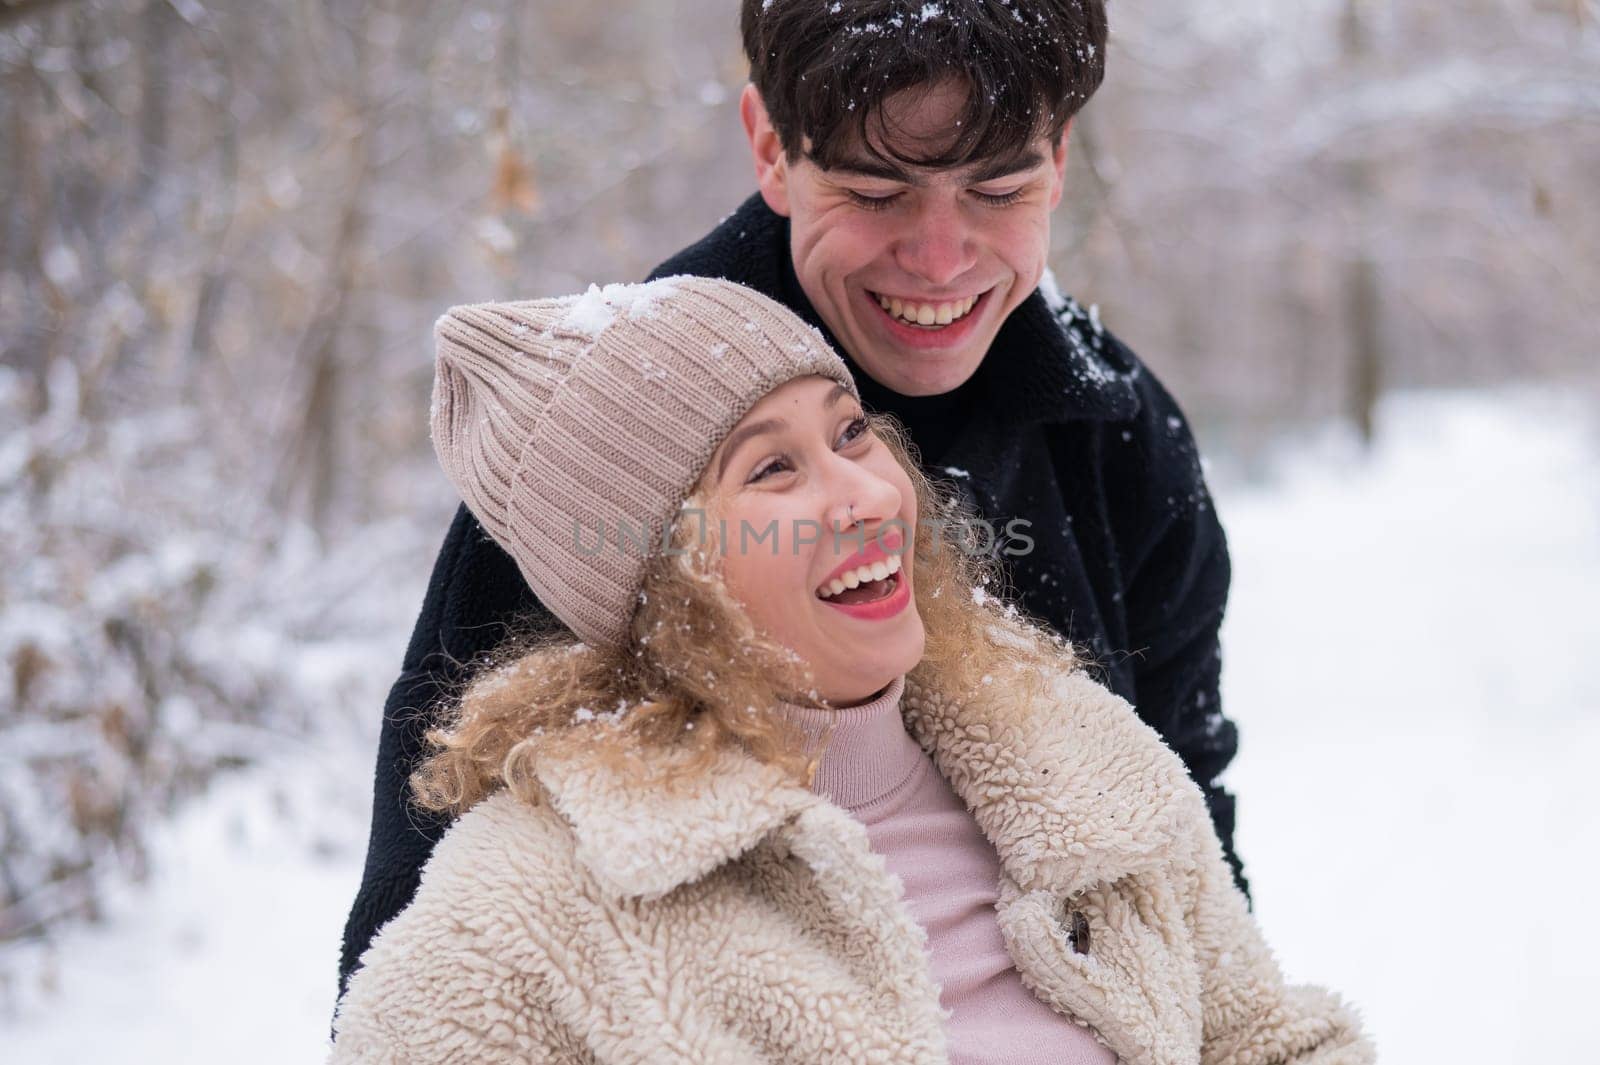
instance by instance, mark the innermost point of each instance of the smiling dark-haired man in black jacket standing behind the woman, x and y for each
(908, 159)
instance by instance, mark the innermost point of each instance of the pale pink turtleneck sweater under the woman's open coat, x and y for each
(951, 874)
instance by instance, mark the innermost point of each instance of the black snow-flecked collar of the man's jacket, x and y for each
(1050, 362)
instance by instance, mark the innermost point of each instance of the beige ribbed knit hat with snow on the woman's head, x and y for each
(562, 421)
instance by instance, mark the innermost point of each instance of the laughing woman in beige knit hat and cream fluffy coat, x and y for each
(799, 789)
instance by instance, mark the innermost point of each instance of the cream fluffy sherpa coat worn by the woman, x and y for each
(746, 920)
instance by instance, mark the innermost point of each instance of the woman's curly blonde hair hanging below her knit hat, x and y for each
(697, 672)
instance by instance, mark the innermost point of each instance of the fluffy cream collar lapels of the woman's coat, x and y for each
(1073, 791)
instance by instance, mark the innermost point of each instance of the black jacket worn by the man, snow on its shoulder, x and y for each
(1062, 428)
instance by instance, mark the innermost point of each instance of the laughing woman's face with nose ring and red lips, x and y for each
(782, 493)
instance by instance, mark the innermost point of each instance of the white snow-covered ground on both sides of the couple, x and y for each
(1407, 664)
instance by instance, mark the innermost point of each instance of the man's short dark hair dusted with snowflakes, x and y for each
(825, 70)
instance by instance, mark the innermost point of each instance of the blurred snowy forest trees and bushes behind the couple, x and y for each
(230, 226)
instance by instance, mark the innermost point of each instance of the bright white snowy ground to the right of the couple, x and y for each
(1410, 656)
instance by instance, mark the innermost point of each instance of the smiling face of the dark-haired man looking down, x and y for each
(913, 269)
